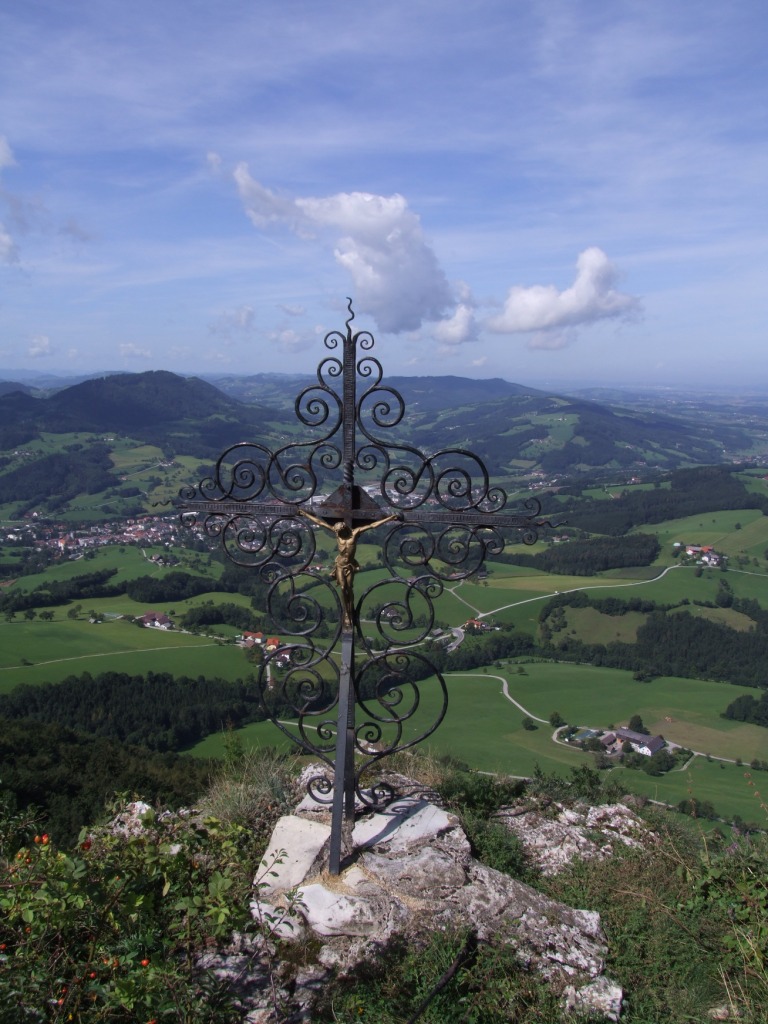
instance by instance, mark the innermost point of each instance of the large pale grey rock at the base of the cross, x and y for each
(411, 872)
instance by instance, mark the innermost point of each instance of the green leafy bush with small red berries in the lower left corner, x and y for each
(111, 931)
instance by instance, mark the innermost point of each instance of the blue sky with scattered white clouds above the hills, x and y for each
(562, 193)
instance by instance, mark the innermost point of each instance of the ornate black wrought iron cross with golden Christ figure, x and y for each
(444, 518)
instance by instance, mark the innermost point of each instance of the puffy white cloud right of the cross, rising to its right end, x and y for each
(592, 297)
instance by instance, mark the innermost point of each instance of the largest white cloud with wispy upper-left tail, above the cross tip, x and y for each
(398, 279)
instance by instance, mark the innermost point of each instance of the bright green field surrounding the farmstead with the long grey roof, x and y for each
(485, 730)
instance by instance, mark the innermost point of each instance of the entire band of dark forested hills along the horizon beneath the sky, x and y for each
(518, 431)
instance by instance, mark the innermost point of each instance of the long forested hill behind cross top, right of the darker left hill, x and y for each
(507, 423)
